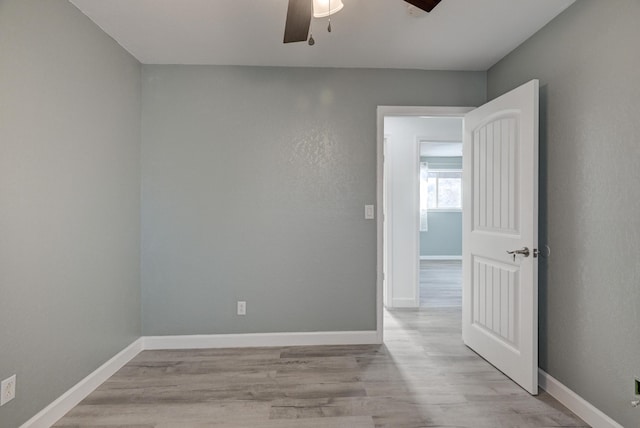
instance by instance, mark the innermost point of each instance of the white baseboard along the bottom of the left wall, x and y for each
(67, 401)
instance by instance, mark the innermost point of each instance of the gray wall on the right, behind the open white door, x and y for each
(587, 62)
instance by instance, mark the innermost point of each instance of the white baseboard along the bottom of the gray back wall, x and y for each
(260, 339)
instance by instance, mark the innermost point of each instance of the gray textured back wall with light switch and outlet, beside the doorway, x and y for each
(254, 184)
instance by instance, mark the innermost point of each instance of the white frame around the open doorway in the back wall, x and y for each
(383, 111)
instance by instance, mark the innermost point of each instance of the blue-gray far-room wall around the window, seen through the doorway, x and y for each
(444, 234)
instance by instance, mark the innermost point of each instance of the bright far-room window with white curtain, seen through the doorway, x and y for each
(440, 189)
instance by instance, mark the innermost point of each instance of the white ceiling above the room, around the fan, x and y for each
(456, 35)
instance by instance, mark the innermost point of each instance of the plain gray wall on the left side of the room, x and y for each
(69, 198)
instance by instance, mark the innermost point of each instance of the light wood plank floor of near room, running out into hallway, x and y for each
(423, 376)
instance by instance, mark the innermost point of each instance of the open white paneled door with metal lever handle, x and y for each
(500, 291)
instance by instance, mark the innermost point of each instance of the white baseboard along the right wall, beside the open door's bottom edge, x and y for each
(578, 405)
